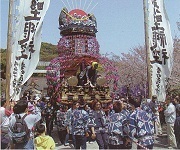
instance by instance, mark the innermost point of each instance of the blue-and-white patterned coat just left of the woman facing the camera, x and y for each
(79, 120)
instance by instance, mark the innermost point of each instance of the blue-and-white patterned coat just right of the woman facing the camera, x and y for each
(118, 128)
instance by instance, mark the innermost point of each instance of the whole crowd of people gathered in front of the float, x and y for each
(29, 123)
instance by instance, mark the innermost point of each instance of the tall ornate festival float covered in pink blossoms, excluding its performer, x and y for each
(77, 49)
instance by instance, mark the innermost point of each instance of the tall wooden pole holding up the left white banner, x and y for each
(9, 51)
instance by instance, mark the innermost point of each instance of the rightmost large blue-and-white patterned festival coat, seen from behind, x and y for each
(141, 127)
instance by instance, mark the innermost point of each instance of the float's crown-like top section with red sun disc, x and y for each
(77, 22)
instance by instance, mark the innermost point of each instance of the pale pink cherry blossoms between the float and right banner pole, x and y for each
(132, 71)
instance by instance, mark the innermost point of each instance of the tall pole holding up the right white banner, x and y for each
(147, 49)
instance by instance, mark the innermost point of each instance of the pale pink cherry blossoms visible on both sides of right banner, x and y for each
(133, 70)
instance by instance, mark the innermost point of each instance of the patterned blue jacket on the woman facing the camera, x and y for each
(97, 122)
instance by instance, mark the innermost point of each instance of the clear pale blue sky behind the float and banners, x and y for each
(120, 22)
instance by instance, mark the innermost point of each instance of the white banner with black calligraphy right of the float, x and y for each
(160, 47)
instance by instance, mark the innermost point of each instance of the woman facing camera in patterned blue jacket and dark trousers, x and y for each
(99, 124)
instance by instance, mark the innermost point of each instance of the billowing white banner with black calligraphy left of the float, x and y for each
(26, 43)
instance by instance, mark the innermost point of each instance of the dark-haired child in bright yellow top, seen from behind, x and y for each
(42, 141)
